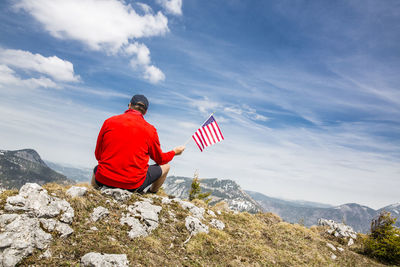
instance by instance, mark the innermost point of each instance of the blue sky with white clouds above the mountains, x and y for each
(306, 93)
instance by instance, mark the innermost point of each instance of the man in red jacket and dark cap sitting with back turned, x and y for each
(124, 146)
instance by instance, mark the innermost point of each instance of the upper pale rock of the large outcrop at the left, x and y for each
(35, 202)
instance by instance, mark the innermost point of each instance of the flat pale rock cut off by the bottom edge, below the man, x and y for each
(93, 259)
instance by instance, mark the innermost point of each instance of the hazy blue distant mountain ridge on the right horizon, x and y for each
(357, 216)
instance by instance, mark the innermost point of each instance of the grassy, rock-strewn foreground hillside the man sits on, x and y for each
(61, 226)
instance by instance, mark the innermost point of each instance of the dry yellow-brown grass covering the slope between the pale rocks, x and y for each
(247, 240)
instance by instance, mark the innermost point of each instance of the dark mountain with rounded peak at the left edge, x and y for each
(21, 166)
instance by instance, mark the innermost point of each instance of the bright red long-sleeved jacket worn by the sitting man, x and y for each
(124, 145)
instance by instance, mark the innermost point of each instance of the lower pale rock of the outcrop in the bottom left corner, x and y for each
(20, 236)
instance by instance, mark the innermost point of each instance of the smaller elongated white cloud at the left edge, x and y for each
(54, 67)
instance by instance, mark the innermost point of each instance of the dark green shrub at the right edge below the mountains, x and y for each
(383, 243)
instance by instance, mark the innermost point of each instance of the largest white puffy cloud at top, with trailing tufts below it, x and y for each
(109, 25)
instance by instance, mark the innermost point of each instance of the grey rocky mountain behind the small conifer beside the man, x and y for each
(226, 190)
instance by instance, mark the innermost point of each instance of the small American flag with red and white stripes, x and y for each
(208, 134)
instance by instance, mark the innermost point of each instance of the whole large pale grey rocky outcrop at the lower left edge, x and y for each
(21, 234)
